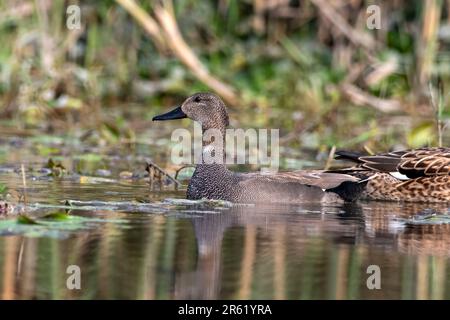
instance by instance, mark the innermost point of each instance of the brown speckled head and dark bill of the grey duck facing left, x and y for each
(206, 108)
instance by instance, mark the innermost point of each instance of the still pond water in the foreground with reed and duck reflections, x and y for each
(133, 243)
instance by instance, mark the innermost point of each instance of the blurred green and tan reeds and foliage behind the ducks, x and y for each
(309, 67)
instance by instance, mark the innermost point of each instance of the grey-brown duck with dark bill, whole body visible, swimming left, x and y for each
(215, 181)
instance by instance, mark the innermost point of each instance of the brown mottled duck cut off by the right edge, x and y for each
(418, 175)
